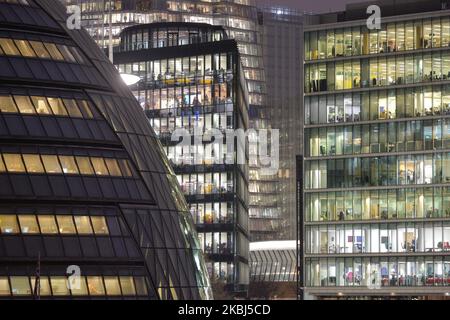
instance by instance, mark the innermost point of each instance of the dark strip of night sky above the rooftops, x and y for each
(316, 6)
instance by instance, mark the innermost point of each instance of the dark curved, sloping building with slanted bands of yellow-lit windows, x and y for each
(85, 186)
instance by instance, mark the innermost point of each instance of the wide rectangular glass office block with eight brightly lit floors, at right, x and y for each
(377, 152)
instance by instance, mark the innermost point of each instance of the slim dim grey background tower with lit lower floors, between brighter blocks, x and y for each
(282, 40)
